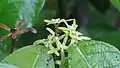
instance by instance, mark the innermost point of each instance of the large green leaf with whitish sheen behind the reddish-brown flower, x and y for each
(13, 10)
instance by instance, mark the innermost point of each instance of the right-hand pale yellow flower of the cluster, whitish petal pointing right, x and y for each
(71, 31)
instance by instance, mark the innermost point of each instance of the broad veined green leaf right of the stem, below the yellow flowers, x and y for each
(95, 54)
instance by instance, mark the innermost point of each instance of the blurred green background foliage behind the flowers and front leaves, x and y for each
(98, 19)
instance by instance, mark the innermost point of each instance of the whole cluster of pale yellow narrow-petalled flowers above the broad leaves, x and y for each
(69, 31)
